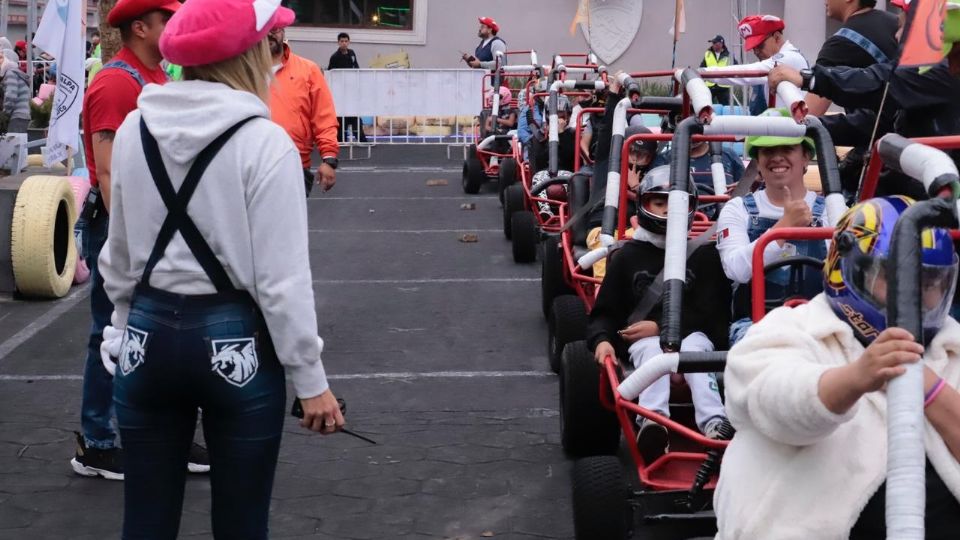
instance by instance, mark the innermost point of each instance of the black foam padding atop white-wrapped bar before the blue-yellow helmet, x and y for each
(905, 261)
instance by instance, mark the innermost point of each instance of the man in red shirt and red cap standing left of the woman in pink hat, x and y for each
(110, 97)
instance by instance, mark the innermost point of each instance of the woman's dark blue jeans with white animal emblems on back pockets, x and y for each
(184, 352)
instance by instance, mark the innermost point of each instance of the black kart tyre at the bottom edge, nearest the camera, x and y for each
(600, 505)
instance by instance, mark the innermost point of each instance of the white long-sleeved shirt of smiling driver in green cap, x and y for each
(733, 242)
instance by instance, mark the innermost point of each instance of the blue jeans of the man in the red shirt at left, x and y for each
(96, 408)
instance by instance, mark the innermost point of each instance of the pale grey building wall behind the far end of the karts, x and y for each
(543, 25)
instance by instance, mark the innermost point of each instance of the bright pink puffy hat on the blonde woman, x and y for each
(205, 32)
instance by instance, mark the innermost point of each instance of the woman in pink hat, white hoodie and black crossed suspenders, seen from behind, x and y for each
(207, 264)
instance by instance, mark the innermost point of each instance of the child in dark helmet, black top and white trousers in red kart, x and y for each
(631, 269)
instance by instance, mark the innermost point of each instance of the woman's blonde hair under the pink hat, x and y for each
(250, 71)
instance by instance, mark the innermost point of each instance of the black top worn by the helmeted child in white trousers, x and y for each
(706, 299)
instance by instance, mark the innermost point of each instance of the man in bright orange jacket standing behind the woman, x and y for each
(301, 103)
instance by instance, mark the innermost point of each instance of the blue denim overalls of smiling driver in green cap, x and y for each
(778, 280)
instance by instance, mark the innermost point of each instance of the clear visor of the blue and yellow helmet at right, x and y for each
(868, 278)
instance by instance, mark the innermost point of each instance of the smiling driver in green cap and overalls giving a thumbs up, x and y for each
(784, 202)
